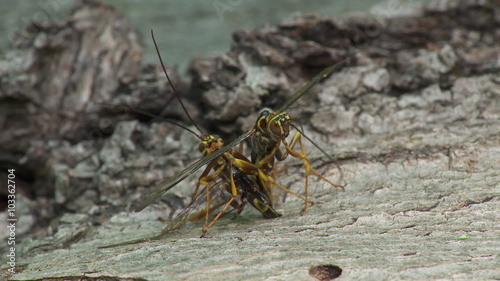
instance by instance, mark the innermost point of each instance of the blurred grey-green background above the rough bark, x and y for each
(185, 29)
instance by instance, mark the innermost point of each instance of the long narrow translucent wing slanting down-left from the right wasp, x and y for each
(167, 184)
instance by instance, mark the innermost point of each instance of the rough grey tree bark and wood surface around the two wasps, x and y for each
(412, 121)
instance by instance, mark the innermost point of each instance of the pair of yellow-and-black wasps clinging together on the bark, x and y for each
(230, 171)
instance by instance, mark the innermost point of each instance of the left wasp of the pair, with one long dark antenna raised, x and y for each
(228, 171)
